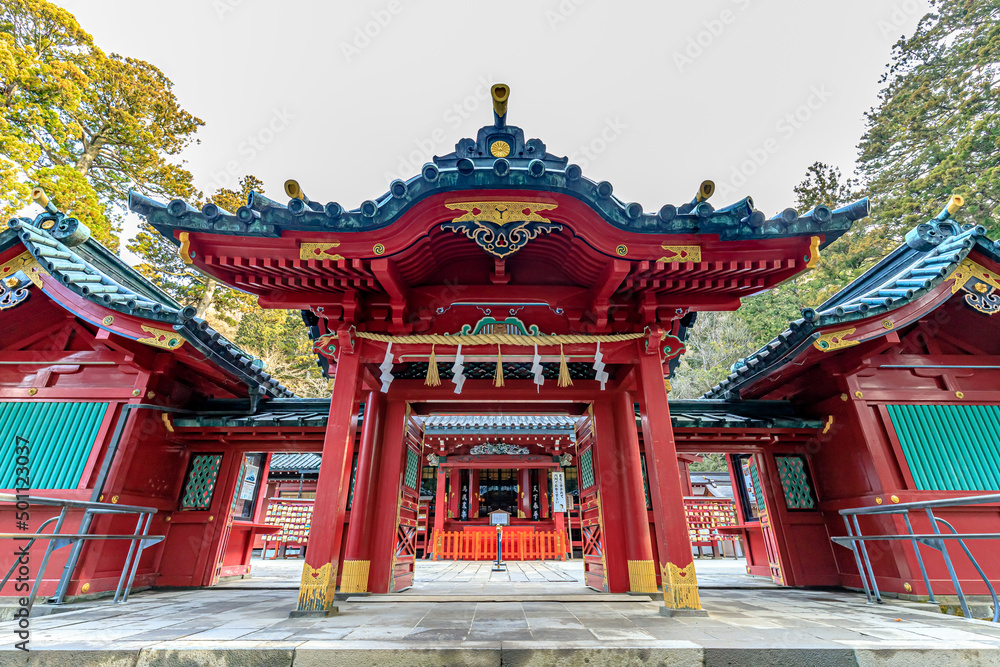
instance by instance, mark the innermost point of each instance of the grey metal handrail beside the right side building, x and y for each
(855, 541)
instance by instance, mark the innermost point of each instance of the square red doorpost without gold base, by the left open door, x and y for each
(385, 517)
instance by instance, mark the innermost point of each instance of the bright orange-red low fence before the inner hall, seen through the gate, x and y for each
(516, 545)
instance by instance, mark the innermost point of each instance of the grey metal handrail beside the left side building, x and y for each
(57, 540)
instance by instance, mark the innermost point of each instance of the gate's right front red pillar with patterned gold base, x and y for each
(680, 585)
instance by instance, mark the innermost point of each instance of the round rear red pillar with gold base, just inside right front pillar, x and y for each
(638, 545)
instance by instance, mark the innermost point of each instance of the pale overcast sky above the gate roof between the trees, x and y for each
(651, 96)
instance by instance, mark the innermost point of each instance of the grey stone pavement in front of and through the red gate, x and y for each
(250, 626)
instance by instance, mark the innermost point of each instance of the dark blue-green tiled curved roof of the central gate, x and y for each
(527, 166)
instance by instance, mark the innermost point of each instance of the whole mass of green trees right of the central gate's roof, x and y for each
(935, 132)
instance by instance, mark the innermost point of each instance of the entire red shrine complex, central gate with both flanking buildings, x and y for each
(499, 332)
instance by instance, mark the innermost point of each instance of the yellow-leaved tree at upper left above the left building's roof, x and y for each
(85, 125)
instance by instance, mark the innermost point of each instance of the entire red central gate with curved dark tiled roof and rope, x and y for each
(499, 276)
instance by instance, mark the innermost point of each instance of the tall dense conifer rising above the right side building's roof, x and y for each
(936, 129)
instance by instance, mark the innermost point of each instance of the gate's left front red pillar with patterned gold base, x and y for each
(319, 572)
